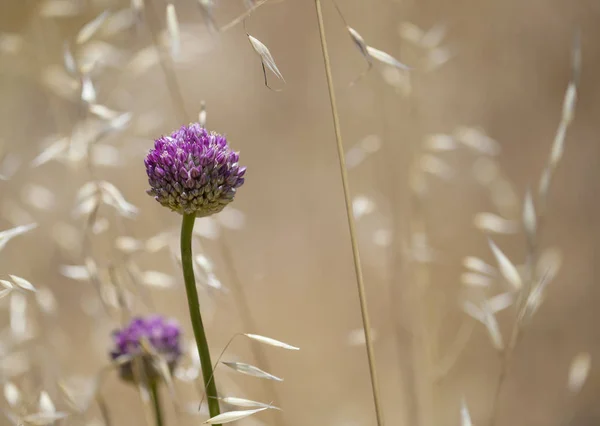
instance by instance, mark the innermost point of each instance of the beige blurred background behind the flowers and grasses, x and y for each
(287, 272)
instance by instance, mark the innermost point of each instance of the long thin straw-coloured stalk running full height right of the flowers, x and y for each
(353, 240)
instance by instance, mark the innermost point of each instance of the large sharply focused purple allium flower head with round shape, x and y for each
(193, 171)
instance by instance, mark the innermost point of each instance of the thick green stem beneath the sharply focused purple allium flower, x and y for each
(187, 226)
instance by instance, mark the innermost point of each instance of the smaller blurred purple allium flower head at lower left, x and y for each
(162, 335)
